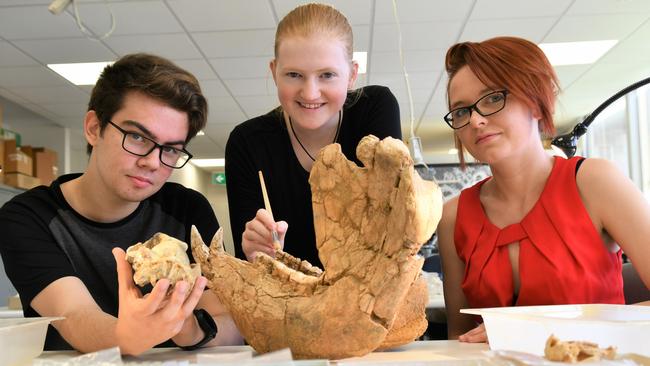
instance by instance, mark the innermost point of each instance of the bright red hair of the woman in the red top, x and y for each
(515, 64)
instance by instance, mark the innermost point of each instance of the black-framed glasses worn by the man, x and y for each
(139, 145)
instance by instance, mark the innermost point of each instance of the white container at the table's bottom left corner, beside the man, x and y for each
(22, 339)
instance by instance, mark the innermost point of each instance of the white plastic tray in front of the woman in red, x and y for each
(526, 328)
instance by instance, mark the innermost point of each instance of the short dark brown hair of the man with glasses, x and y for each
(155, 77)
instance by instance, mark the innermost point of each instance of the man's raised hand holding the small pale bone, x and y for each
(144, 322)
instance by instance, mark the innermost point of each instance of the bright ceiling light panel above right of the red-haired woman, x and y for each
(576, 53)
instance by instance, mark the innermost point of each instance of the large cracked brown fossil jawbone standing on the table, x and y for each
(370, 223)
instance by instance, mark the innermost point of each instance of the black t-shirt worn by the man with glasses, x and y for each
(44, 239)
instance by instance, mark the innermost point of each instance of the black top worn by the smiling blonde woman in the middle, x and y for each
(263, 143)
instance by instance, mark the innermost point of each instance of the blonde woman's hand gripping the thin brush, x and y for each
(257, 236)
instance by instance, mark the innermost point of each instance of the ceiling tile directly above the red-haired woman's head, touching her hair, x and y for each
(533, 29)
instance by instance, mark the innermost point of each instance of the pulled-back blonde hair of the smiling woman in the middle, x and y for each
(309, 19)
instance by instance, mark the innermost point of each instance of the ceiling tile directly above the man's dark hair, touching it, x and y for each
(174, 46)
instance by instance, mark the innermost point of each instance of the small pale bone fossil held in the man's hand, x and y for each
(160, 257)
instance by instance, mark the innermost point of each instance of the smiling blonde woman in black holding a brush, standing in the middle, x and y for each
(314, 74)
